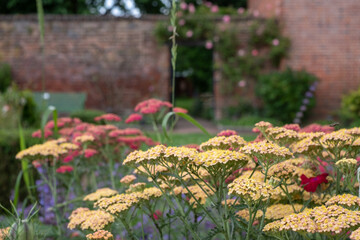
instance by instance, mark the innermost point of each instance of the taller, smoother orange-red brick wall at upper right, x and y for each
(325, 38)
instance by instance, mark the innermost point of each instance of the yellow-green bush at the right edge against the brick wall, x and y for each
(350, 107)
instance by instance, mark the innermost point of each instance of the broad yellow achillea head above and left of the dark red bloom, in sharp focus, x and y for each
(267, 151)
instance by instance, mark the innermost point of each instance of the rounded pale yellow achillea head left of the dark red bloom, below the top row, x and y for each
(250, 190)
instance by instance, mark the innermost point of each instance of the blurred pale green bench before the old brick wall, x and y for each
(65, 102)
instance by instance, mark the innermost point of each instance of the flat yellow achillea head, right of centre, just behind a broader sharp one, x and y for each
(223, 142)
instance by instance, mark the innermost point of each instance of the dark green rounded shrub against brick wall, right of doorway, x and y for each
(282, 93)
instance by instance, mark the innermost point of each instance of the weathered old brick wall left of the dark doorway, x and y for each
(117, 62)
